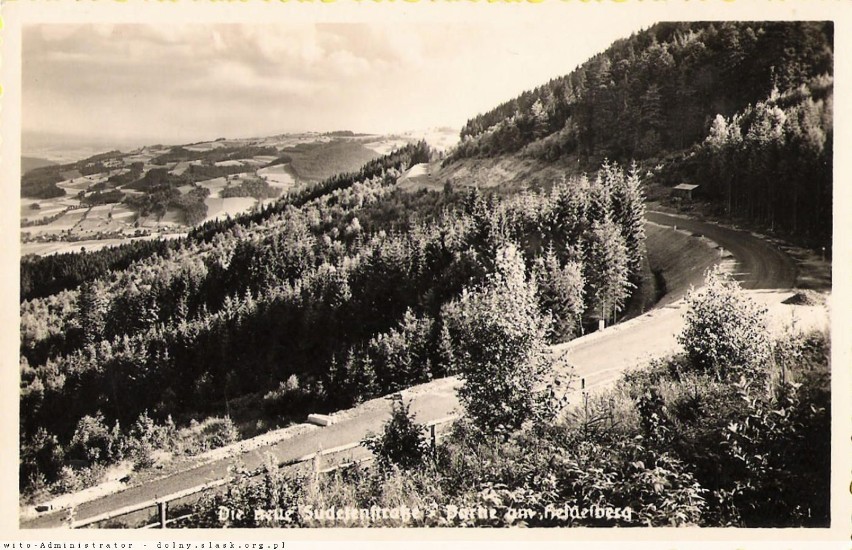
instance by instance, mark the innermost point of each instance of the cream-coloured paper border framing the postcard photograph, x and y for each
(591, 14)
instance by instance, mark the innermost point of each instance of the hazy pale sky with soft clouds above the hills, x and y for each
(185, 83)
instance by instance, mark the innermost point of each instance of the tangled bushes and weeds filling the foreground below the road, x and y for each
(680, 447)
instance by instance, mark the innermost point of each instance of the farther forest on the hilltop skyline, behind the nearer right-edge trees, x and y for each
(654, 91)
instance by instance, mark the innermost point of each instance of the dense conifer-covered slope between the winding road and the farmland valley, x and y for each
(331, 296)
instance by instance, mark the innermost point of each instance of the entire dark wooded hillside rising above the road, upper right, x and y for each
(744, 108)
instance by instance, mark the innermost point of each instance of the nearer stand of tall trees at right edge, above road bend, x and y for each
(772, 162)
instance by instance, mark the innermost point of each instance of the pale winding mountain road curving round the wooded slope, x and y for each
(598, 358)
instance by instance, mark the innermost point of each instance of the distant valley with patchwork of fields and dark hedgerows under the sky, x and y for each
(99, 201)
